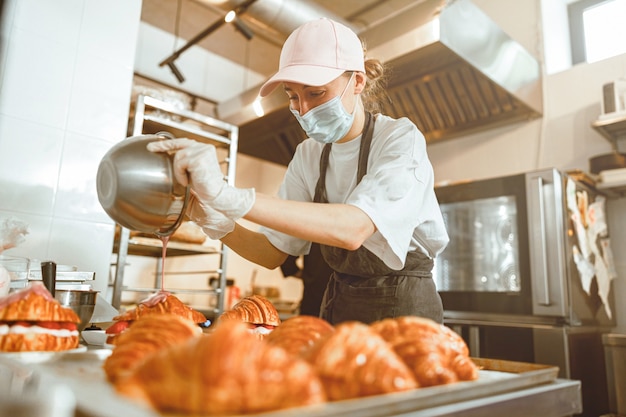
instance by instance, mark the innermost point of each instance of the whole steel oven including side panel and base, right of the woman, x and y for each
(511, 279)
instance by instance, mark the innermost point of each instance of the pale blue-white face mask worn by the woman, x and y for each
(328, 122)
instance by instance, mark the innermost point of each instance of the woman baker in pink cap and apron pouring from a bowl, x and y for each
(361, 186)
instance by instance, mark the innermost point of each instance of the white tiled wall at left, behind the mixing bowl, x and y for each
(65, 80)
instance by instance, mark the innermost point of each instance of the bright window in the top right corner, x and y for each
(597, 29)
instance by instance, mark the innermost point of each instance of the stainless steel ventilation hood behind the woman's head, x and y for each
(453, 71)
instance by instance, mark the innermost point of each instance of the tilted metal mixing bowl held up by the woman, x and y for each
(137, 187)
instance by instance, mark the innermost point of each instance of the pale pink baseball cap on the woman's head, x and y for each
(316, 53)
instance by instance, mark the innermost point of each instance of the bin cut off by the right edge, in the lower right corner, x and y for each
(615, 362)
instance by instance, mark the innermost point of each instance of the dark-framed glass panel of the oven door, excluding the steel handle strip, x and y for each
(485, 268)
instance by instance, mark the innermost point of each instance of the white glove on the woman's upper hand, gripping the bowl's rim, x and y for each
(196, 163)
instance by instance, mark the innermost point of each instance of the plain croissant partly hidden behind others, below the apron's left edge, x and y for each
(299, 333)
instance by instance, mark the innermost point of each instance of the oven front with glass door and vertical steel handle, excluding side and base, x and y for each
(507, 249)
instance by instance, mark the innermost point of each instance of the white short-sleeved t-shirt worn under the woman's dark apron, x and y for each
(396, 193)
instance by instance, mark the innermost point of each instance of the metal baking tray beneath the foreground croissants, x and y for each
(83, 373)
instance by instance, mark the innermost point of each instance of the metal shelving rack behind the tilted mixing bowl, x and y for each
(152, 116)
